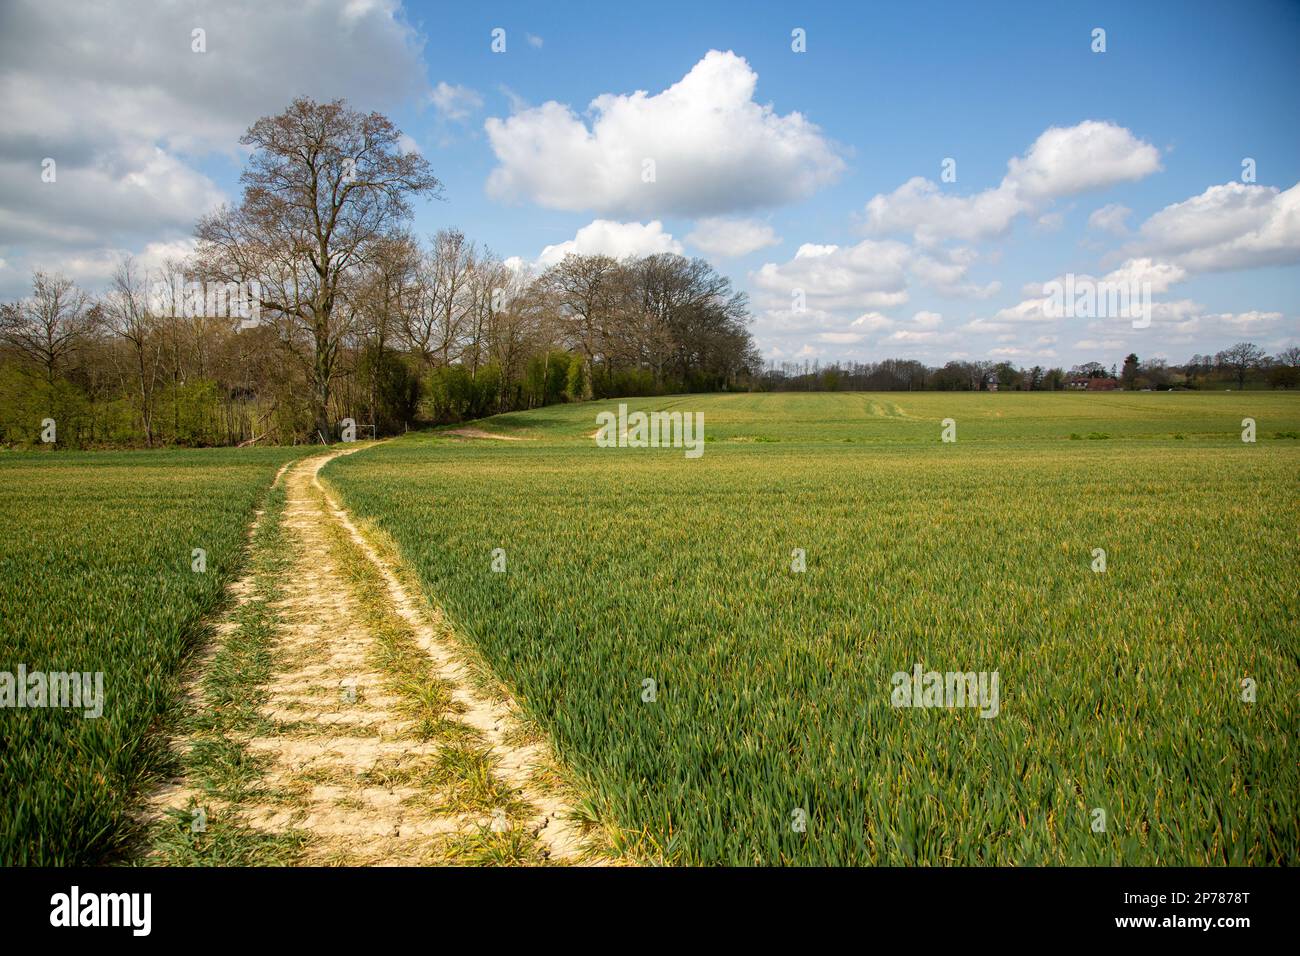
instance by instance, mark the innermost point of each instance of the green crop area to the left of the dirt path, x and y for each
(99, 577)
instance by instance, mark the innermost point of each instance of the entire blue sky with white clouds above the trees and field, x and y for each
(774, 188)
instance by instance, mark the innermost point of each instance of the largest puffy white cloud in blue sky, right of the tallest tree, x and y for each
(714, 150)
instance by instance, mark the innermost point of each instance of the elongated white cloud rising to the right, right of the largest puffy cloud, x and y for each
(1063, 162)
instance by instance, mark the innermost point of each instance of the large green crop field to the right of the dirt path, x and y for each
(717, 706)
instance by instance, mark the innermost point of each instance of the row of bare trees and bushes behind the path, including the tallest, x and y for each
(311, 302)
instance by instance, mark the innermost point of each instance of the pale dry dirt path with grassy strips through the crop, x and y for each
(372, 743)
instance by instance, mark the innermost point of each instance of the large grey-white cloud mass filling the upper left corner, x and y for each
(116, 97)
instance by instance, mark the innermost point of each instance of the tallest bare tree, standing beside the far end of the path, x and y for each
(326, 185)
